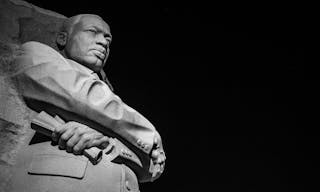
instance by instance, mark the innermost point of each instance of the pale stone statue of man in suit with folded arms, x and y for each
(70, 84)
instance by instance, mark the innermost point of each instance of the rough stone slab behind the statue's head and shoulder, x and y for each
(20, 21)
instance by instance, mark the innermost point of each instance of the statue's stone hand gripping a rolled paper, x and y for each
(75, 137)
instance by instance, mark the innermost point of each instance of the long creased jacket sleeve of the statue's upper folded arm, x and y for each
(59, 86)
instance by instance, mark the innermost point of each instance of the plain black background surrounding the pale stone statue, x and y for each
(225, 88)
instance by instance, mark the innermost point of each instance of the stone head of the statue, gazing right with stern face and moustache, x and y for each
(85, 39)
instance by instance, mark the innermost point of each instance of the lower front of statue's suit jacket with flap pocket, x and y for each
(43, 167)
